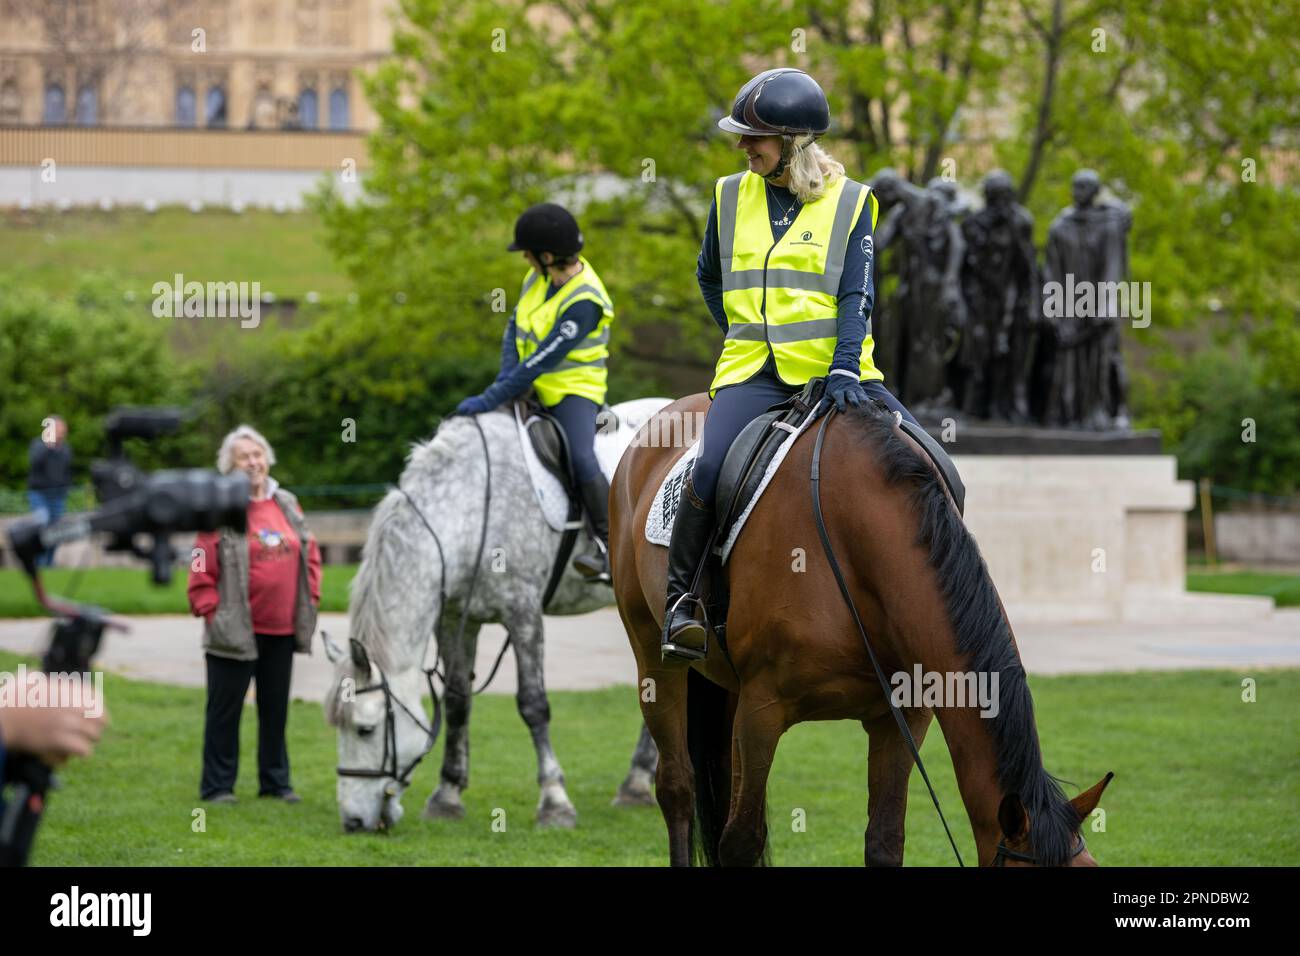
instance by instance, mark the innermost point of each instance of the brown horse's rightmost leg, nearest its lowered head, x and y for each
(889, 771)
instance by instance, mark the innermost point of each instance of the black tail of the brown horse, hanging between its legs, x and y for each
(710, 719)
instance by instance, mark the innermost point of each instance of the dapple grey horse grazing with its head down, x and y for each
(430, 547)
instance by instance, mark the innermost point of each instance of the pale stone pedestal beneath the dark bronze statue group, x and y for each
(1090, 538)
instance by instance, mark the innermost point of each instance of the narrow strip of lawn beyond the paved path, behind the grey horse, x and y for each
(128, 591)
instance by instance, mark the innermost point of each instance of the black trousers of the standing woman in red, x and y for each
(228, 684)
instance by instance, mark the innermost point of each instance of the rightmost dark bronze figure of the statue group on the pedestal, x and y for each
(1087, 246)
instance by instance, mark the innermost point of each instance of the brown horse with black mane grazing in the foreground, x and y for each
(925, 598)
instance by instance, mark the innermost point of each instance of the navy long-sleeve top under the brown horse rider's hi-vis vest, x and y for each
(857, 283)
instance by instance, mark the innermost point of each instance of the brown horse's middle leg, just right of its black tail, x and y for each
(757, 730)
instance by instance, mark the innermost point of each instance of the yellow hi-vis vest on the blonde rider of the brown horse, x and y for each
(783, 297)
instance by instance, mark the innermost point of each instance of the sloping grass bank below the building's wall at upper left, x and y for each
(285, 253)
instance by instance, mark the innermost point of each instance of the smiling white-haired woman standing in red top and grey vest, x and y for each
(258, 595)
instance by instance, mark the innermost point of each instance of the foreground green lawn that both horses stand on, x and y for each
(1202, 778)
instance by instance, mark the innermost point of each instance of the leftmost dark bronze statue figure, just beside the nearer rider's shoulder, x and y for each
(928, 302)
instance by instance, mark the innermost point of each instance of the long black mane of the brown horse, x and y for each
(982, 633)
